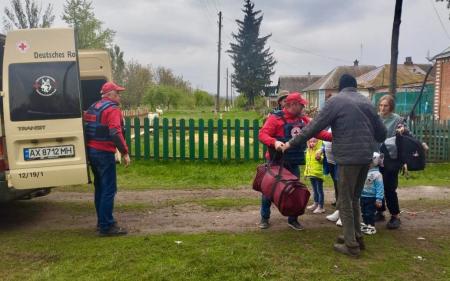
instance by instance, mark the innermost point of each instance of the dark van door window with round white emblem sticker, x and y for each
(43, 91)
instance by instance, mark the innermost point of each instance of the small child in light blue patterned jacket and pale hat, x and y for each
(372, 195)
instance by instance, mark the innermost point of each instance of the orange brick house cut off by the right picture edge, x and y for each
(442, 86)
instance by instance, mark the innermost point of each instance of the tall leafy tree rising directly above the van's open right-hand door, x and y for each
(79, 14)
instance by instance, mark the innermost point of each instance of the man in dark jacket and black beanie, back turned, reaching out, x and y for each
(356, 129)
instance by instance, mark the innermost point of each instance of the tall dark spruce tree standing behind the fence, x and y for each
(252, 62)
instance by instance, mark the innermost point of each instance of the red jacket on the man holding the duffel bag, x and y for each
(274, 128)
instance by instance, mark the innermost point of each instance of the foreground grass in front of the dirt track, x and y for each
(271, 255)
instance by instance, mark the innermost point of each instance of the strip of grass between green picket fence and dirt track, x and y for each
(145, 175)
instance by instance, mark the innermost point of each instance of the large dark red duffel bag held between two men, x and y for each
(282, 188)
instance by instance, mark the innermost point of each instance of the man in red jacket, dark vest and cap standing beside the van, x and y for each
(104, 133)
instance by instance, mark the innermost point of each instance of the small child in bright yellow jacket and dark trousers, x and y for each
(314, 171)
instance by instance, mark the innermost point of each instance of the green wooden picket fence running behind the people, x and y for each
(222, 140)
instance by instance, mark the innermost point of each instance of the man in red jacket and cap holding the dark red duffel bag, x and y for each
(279, 128)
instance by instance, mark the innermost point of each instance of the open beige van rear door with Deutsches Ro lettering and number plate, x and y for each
(42, 109)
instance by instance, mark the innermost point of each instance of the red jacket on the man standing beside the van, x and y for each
(111, 117)
